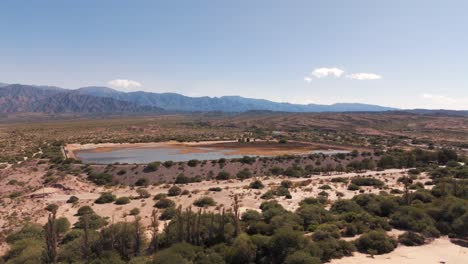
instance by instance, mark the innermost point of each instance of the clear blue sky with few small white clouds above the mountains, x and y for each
(405, 54)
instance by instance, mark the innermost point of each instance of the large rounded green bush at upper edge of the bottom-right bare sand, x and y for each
(375, 242)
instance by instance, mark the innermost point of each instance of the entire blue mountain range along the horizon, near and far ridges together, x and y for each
(49, 99)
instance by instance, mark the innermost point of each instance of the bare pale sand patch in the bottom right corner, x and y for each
(439, 251)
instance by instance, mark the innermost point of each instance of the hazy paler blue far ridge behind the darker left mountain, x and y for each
(178, 102)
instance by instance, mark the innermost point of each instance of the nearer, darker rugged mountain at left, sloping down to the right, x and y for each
(27, 98)
